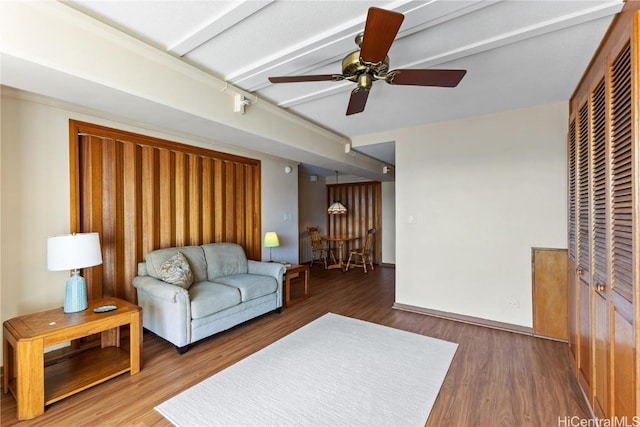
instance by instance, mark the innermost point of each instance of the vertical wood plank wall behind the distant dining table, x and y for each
(363, 201)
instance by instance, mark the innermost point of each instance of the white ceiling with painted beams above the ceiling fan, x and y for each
(517, 53)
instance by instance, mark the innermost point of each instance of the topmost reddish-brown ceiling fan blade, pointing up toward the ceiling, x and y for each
(379, 32)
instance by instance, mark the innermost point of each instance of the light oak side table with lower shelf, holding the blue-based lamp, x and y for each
(26, 337)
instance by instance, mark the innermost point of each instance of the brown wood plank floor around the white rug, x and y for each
(497, 378)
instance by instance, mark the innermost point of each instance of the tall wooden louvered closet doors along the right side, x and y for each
(603, 258)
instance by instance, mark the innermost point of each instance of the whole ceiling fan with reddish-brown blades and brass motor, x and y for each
(372, 63)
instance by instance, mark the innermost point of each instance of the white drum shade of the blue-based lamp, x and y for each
(73, 251)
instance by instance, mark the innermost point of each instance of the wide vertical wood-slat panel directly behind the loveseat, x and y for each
(142, 193)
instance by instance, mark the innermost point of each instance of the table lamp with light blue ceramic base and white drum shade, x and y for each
(72, 252)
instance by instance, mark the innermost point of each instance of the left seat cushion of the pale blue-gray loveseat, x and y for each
(208, 298)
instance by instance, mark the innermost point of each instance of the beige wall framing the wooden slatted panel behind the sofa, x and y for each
(35, 196)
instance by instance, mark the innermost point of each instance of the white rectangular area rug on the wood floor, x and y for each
(335, 371)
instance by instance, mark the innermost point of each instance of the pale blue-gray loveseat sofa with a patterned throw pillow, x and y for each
(189, 293)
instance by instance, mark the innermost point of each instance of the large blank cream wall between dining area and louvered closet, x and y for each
(483, 192)
